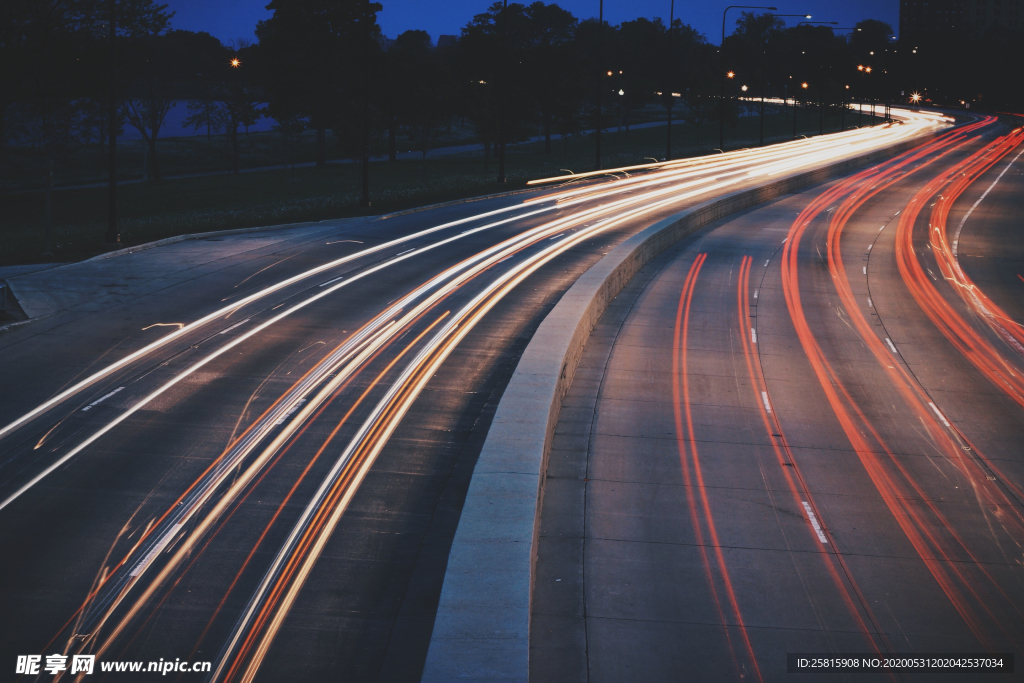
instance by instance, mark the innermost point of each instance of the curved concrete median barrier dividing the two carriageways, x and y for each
(482, 630)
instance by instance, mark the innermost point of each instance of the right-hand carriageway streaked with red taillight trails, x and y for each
(800, 431)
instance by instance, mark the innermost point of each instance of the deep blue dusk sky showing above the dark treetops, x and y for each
(231, 20)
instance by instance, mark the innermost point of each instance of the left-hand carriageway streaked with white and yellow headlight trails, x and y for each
(263, 466)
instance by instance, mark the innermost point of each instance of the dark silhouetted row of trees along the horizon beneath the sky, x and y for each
(523, 69)
